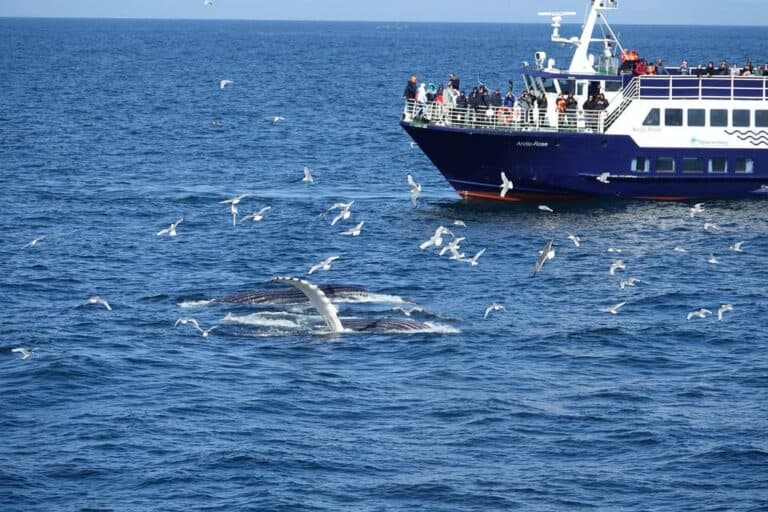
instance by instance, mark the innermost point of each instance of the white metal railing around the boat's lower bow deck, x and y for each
(505, 118)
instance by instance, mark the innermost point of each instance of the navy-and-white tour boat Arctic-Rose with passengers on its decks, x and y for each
(684, 134)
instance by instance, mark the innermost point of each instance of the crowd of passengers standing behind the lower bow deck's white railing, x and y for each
(448, 103)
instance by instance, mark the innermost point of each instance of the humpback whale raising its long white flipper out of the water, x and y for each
(330, 314)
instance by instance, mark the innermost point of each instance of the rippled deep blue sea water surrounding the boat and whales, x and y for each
(107, 135)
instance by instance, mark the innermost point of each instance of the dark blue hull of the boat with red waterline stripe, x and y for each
(562, 165)
